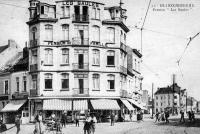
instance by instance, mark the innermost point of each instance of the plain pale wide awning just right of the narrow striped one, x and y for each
(105, 104)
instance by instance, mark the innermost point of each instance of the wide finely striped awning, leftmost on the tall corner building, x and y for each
(57, 104)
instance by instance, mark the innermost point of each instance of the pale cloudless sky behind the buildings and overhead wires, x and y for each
(165, 36)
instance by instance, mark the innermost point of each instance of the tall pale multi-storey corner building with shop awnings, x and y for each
(78, 56)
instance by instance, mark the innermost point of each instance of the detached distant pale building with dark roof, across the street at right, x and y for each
(167, 98)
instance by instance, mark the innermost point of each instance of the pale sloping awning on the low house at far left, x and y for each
(13, 106)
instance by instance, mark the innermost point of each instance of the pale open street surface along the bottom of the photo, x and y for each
(144, 127)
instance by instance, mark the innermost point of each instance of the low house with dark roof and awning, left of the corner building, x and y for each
(14, 88)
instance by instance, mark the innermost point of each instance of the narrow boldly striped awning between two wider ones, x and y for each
(80, 105)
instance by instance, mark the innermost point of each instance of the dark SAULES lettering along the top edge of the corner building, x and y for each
(81, 3)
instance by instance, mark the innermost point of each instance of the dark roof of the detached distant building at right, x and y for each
(167, 90)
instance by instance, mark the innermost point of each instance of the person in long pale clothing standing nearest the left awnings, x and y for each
(39, 127)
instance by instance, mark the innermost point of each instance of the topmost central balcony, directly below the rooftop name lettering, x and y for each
(80, 18)
